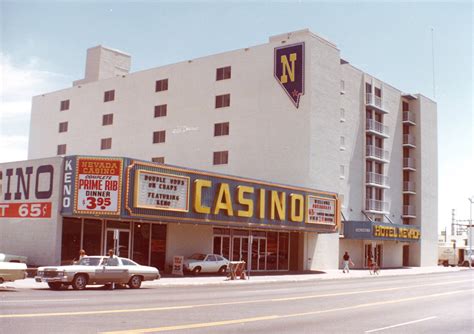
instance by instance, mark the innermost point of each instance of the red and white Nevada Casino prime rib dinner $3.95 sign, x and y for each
(98, 186)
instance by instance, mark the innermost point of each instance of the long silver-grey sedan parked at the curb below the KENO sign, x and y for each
(97, 270)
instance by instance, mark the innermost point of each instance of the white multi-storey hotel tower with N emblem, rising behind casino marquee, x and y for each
(290, 111)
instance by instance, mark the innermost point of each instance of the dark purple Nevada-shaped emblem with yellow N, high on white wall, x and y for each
(289, 70)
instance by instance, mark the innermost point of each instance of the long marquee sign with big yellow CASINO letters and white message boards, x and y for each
(167, 193)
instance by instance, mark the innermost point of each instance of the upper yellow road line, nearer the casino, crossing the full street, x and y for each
(166, 308)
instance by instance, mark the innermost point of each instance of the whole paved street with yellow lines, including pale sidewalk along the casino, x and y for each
(419, 300)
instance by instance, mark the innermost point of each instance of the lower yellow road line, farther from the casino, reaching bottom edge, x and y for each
(275, 317)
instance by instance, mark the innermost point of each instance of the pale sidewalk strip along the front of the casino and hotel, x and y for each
(30, 283)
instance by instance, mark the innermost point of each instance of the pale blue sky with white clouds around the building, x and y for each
(43, 48)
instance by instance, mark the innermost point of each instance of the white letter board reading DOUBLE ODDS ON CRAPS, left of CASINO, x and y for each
(161, 191)
